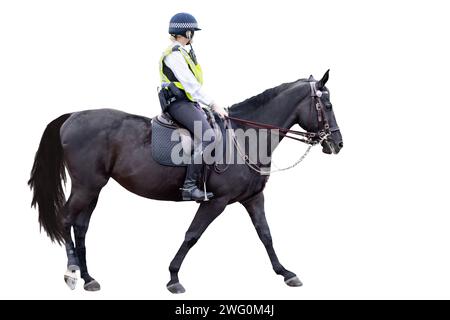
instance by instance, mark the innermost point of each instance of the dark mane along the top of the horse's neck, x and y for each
(261, 99)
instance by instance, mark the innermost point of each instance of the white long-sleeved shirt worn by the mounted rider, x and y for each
(176, 62)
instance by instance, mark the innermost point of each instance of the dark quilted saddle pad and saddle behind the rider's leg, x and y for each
(171, 142)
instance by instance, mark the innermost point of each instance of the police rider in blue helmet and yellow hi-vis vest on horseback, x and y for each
(179, 66)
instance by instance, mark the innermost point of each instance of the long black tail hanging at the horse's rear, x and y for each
(46, 178)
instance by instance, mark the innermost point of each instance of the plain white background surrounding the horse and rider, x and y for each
(371, 222)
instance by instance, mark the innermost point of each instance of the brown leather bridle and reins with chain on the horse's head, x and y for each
(311, 138)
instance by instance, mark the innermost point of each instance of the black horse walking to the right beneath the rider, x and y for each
(96, 145)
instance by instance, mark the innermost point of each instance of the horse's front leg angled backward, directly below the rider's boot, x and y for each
(206, 213)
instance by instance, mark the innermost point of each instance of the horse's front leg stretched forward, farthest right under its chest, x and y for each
(255, 208)
